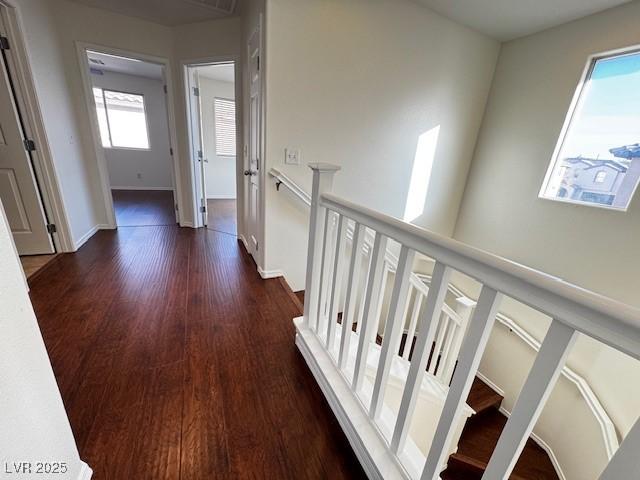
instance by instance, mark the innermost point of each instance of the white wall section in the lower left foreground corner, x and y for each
(35, 426)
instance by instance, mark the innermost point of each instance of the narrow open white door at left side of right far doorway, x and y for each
(197, 143)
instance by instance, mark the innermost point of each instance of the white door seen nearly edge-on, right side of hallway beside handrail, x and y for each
(254, 161)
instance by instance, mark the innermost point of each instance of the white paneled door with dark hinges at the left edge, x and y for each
(18, 189)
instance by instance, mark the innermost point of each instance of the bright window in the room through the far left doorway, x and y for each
(122, 119)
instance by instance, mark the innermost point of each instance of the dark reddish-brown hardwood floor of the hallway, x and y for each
(177, 361)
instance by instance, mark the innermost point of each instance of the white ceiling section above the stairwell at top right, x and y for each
(509, 19)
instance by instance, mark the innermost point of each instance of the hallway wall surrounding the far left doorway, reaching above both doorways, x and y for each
(51, 28)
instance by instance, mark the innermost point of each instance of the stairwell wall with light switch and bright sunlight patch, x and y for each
(356, 84)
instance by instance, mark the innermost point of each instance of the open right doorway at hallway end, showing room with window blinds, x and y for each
(212, 125)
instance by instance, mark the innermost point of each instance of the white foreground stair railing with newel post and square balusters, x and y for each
(573, 310)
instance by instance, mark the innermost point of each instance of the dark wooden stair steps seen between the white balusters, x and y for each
(480, 437)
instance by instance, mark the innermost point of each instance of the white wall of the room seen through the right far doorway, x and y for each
(220, 171)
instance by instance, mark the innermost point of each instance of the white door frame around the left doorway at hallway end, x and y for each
(105, 183)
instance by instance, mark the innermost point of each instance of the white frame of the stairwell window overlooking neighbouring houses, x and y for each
(576, 102)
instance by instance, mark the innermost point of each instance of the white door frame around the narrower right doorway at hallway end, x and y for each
(193, 162)
